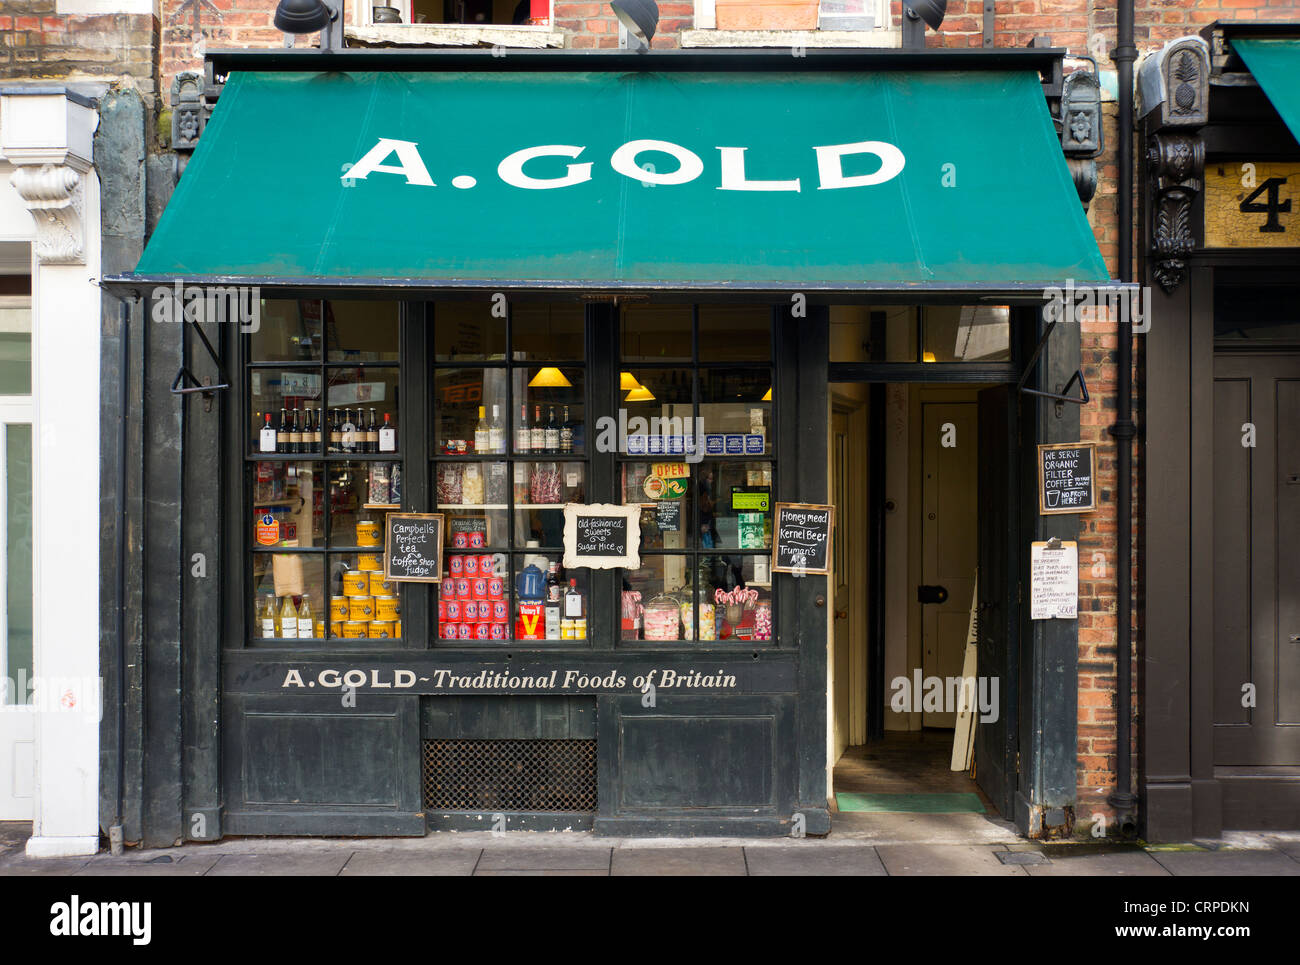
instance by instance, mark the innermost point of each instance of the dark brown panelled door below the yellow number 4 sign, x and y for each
(1256, 561)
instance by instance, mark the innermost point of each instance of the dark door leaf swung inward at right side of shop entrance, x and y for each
(998, 646)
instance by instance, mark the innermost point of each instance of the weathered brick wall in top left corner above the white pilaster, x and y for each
(37, 44)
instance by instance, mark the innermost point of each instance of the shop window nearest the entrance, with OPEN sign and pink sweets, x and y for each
(697, 458)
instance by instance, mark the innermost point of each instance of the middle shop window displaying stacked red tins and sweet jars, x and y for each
(510, 449)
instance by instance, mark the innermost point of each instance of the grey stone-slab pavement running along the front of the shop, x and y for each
(913, 845)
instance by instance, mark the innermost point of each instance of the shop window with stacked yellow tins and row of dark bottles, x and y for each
(324, 468)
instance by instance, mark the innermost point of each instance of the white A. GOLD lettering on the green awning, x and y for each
(731, 166)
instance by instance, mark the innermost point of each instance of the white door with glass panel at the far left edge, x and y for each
(18, 719)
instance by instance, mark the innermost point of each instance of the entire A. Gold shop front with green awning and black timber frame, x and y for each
(515, 366)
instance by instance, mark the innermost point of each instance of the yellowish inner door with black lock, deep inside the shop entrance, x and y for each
(950, 465)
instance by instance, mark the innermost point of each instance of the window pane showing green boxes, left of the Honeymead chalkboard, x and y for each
(735, 505)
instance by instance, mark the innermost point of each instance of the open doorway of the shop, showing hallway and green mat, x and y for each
(903, 638)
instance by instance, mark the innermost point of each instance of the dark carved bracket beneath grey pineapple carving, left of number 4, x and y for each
(1176, 165)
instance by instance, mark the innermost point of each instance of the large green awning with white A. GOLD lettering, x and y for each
(801, 180)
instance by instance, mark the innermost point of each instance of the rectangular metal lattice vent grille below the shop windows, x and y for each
(501, 776)
